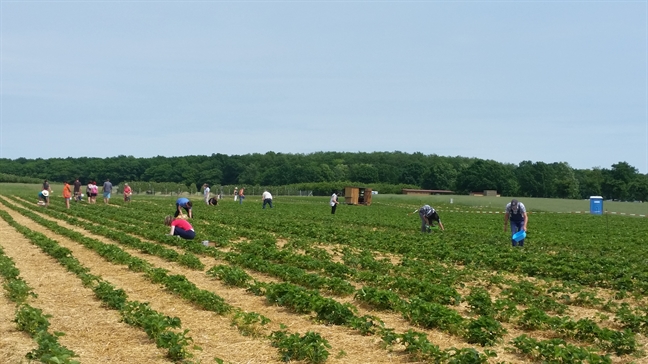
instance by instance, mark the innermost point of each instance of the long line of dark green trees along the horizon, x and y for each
(460, 174)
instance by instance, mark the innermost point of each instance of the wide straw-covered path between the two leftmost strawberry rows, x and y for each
(91, 331)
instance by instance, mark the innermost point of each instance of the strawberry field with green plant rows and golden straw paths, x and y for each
(98, 284)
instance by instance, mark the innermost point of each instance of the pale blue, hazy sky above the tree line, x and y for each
(549, 81)
